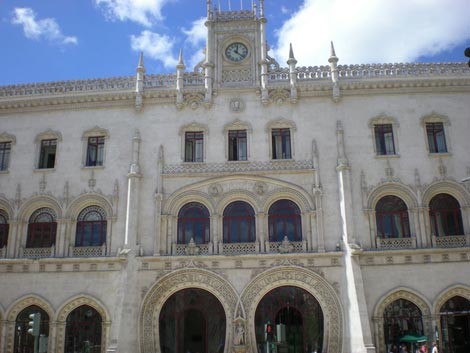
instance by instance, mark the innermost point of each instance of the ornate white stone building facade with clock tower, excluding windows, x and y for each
(335, 176)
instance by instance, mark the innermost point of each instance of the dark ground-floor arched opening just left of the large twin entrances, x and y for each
(83, 330)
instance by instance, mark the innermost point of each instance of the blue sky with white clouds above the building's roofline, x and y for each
(54, 40)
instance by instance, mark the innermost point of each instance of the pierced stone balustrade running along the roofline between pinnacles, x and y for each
(304, 74)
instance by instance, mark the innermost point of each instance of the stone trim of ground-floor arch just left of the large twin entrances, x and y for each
(71, 305)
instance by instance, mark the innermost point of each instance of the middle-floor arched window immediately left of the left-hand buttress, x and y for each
(91, 227)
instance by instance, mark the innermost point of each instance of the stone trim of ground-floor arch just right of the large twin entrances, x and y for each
(400, 293)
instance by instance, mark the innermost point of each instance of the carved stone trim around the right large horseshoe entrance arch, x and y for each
(308, 280)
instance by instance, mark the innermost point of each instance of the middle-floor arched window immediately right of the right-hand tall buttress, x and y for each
(392, 218)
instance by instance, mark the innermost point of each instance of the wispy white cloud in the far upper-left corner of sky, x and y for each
(36, 29)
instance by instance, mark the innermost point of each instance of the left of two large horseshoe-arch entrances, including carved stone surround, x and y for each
(175, 314)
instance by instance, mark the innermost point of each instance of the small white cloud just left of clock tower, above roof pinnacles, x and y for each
(155, 46)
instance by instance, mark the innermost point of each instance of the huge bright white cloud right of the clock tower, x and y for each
(366, 31)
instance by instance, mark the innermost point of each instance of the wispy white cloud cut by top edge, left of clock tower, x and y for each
(144, 12)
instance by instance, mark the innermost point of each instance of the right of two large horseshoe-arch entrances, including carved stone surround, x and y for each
(314, 312)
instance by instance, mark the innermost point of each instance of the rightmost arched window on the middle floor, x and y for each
(446, 218)
